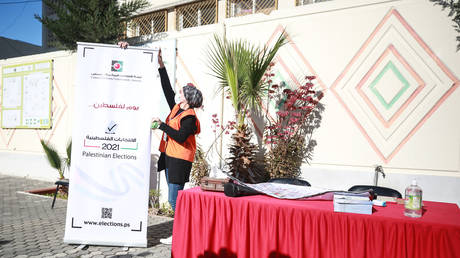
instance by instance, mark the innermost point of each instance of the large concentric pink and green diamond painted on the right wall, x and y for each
(392, 85)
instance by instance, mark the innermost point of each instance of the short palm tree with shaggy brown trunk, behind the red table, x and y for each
(240, 67)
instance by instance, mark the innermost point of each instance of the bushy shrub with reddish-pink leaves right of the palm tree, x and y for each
(289, 135)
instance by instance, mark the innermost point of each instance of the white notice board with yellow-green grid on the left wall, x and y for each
(26, 95)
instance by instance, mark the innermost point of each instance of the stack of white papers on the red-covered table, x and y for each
(352, 202)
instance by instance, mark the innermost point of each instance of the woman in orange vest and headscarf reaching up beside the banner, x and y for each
(178, 144)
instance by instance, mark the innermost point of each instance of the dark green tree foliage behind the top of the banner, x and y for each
(99, 21)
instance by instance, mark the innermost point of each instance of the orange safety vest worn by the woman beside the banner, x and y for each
(172, 148)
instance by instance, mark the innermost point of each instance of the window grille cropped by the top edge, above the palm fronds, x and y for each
(245, 7)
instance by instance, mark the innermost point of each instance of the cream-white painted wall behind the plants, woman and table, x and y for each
(333, 40)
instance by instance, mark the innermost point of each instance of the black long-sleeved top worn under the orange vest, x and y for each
(178, 169)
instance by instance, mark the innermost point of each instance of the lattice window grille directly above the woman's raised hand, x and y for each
(148, 23)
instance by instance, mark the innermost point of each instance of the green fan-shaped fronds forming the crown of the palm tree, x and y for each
(240, 67)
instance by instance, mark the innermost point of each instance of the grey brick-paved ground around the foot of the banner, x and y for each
(30, 228)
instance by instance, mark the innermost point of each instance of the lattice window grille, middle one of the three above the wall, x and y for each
(196, 14)
